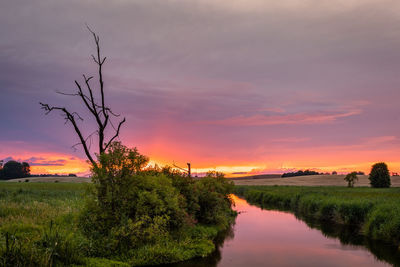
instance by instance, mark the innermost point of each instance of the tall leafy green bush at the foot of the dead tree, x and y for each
(127, 208)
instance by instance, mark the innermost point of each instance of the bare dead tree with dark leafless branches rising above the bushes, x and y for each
(100, 112)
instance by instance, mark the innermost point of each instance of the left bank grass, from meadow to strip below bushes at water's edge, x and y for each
(39, 227)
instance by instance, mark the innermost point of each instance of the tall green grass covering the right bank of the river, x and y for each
(375, 211)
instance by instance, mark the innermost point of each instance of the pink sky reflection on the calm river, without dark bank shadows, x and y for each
(274, 238)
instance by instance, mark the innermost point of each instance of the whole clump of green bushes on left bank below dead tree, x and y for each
(130, 208)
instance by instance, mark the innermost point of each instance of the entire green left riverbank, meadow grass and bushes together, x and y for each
(128, 219)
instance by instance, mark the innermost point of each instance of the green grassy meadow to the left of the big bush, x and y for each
(28, 237)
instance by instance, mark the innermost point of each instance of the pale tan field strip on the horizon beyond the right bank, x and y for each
(312, 180)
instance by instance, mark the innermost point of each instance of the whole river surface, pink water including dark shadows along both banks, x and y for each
(274, 238)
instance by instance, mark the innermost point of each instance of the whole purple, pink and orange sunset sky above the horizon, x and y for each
(251, 86)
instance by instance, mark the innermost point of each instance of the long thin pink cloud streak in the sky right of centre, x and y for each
(299, 118)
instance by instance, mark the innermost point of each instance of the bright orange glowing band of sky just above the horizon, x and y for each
(342, 160)
